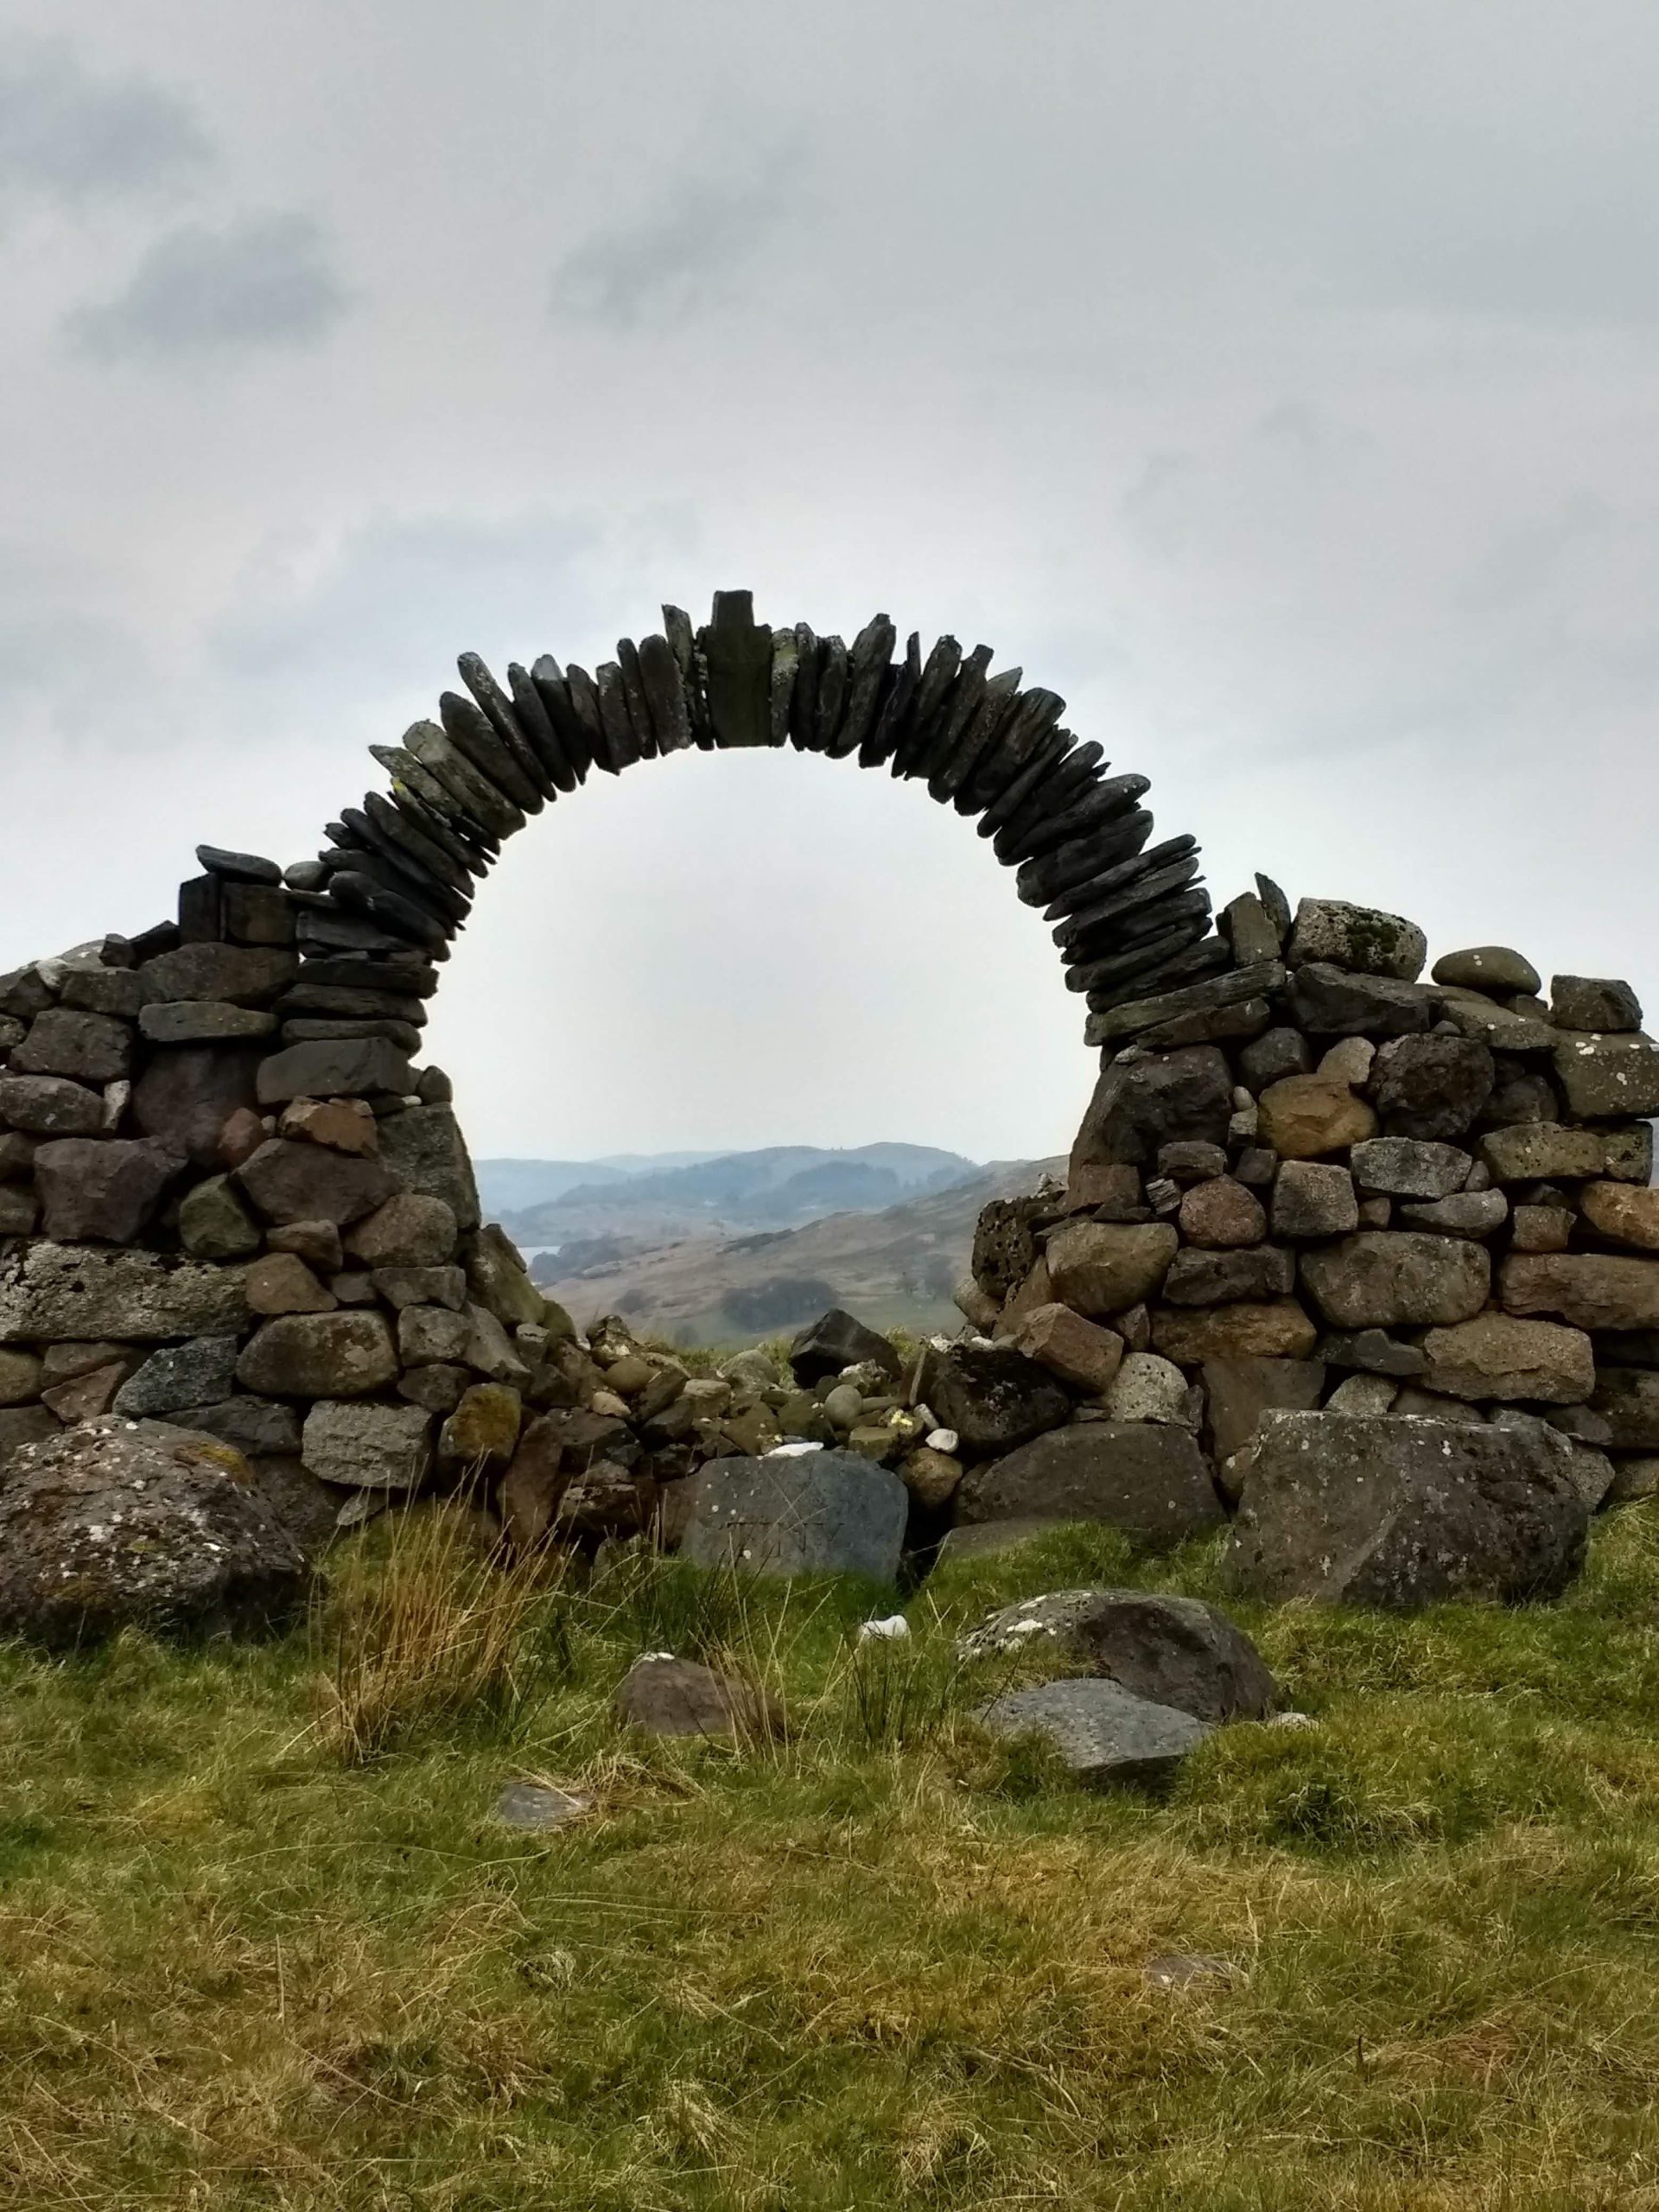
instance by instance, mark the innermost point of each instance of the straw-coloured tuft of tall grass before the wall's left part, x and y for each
(430, 1629)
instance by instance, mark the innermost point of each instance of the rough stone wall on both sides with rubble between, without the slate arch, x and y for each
(231, 1202)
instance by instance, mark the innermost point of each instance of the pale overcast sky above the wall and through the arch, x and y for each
(1273, 382)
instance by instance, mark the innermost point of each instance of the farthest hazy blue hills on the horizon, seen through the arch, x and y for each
(775, 1189)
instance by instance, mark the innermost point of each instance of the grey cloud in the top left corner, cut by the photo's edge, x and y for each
(72, 136)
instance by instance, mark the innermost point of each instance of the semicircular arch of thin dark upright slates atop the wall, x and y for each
(399, 877)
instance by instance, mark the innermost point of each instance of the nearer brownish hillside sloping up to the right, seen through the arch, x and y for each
(895, 1269)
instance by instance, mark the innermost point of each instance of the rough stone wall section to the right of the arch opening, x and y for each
(1317, 1182)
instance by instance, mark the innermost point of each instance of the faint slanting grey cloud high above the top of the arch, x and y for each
(682, 255)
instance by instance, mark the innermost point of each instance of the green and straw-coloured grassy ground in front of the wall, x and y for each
(262, 1943)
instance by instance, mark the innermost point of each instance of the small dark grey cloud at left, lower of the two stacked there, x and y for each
(262, 282)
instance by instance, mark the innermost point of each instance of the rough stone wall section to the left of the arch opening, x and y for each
(231, 1202)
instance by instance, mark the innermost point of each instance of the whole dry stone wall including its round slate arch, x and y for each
(233, 1200)
